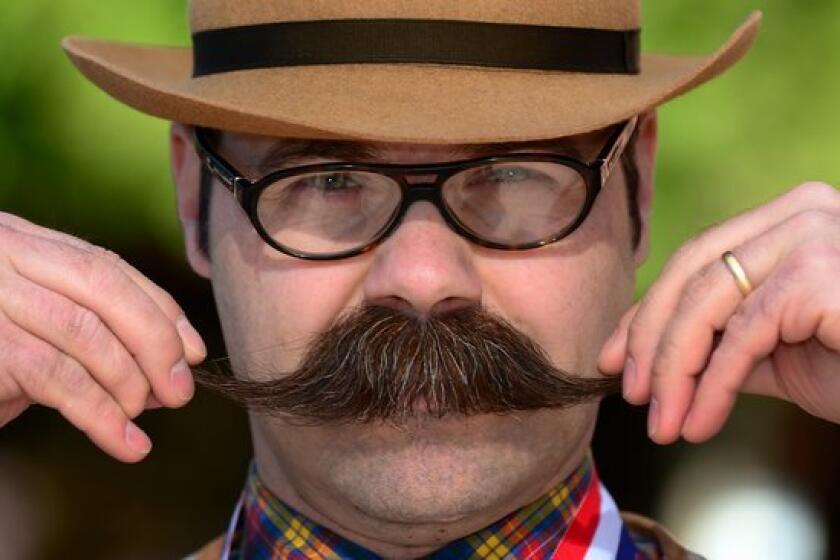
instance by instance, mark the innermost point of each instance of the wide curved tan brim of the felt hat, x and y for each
(423, 103)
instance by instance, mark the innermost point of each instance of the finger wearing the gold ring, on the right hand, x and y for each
(707, 302)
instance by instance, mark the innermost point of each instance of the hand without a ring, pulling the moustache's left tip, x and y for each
(83, 332)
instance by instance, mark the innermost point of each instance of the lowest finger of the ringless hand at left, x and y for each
(50, 377)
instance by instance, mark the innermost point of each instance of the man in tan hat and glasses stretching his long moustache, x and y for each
(419, 266)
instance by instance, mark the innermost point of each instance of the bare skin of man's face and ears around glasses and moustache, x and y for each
(422, 481)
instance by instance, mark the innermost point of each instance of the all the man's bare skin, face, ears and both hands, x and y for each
(405, 492)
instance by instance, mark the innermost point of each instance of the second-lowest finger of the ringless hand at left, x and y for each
(80, 333)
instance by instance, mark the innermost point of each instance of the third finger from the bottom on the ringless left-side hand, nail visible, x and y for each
(93, 281)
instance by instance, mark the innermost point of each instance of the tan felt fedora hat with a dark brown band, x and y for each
(427, 71)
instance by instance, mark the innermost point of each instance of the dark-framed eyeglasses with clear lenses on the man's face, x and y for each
(336, 210)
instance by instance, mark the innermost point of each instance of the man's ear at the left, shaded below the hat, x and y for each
(186, 176)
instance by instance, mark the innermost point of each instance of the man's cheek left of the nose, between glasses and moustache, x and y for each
(270, 305)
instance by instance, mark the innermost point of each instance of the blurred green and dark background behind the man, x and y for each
(75, 160)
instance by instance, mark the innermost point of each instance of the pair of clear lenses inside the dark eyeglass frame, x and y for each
(506, 203)
